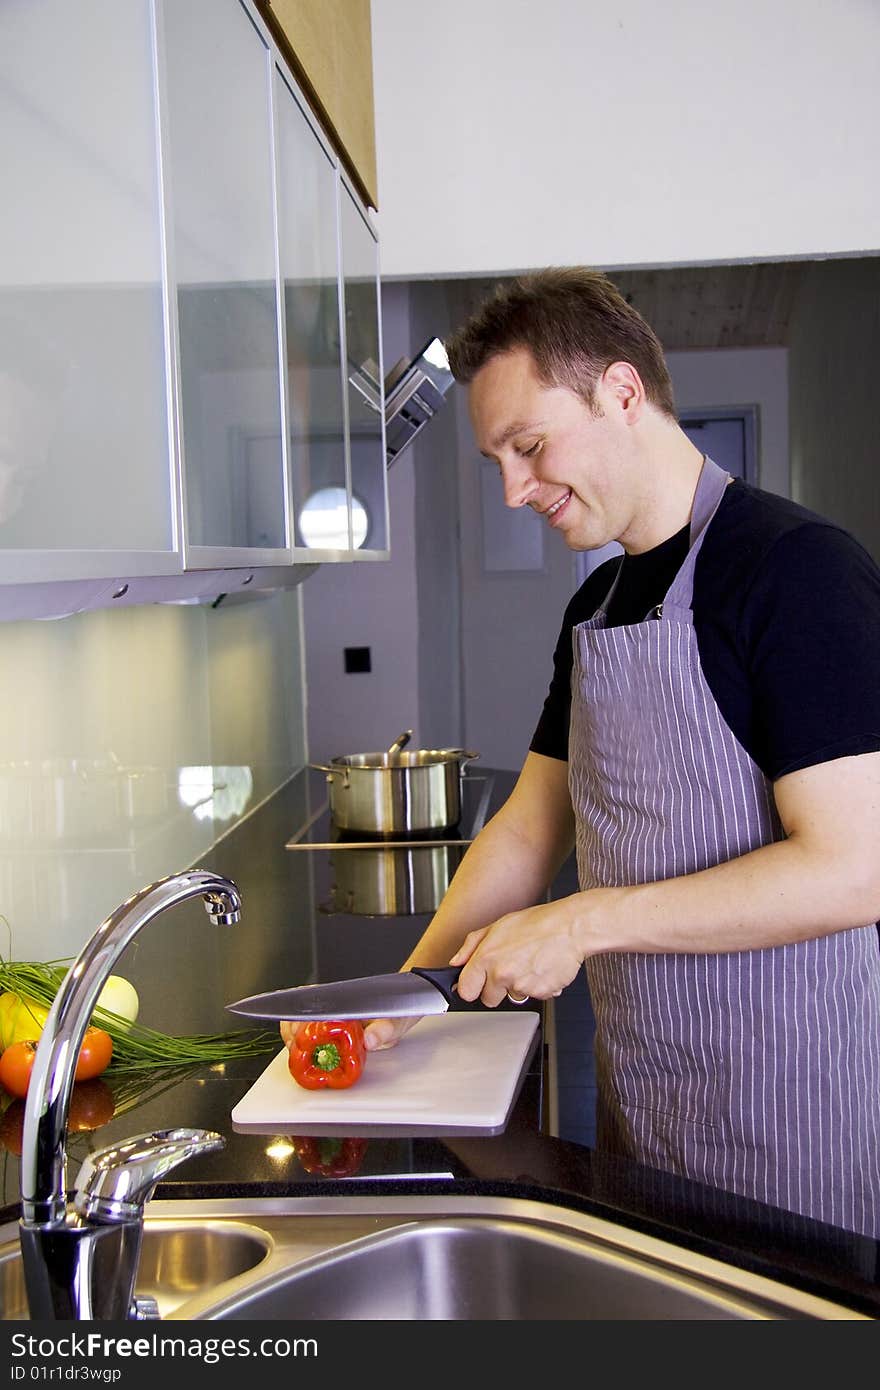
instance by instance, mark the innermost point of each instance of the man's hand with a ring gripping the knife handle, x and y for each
(532, 953)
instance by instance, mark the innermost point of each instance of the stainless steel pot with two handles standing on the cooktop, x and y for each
(397, 793)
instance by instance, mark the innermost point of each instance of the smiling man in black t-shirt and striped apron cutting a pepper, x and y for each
(711, 746)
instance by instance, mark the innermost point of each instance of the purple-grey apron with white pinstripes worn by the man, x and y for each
(757, 1072)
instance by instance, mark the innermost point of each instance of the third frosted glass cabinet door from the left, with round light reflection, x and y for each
(308, 234)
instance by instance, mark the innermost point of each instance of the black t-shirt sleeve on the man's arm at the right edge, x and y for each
(811, 635)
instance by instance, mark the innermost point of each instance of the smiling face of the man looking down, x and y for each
(575, 468)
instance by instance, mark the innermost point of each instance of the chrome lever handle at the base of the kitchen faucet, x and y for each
(115, 1184)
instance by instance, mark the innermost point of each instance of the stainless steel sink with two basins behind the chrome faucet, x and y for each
(426, 1259)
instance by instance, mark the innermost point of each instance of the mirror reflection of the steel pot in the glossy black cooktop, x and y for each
(391, 883)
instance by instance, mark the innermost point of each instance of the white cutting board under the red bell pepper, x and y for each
(453, 1074)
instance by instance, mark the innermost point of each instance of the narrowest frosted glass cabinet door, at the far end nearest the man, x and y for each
(365, 380)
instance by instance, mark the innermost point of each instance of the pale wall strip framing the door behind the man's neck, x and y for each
(742, 377)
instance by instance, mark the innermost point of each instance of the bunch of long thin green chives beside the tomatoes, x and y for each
(136, 1047)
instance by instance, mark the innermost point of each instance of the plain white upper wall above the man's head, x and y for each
(512, 134)
